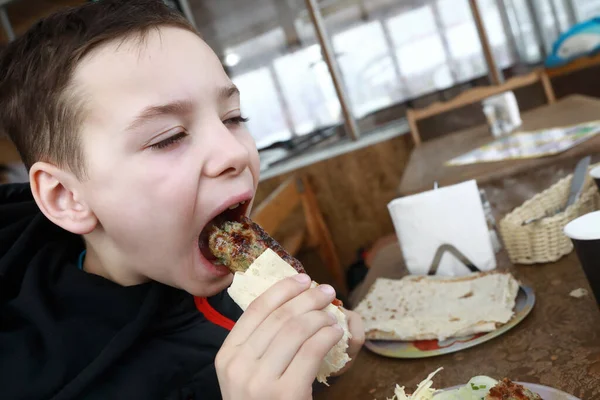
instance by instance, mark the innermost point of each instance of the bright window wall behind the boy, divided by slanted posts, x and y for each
(388, 51)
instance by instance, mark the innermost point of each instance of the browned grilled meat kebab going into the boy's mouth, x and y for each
(236, 244)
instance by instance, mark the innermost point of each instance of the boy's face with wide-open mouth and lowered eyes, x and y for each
(165, 152)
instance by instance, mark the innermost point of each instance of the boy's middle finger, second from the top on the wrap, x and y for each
(310, 300)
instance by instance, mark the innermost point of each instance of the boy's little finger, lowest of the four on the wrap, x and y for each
(305, 365)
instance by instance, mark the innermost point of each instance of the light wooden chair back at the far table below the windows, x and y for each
(476, 95)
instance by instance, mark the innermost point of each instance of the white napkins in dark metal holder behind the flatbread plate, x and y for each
(443, 230)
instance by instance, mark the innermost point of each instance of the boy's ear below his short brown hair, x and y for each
(58, 195)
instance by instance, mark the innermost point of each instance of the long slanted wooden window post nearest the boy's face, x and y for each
(336, 76)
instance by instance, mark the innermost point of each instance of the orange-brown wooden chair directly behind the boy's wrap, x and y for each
(279, 205)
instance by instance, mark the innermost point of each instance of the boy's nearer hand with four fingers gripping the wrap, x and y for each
(277, 346)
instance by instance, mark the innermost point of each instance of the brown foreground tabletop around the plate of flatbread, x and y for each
(557, 345)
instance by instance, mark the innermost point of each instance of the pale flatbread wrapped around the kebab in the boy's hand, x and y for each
(265, 271)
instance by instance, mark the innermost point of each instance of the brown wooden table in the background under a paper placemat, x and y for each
(426, 163)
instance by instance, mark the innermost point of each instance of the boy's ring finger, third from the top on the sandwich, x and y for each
(290, 339)
